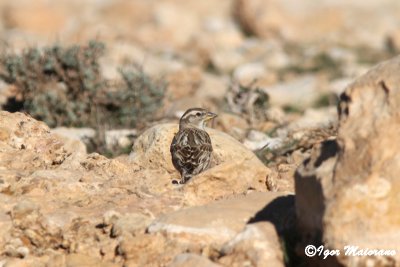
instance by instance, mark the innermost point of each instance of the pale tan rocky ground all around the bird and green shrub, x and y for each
(304, 145)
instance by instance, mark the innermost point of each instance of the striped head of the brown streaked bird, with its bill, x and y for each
(196, 117)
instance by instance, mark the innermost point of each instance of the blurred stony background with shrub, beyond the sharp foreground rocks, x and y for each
(98, 63)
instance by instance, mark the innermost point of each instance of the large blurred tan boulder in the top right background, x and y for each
(338, 21)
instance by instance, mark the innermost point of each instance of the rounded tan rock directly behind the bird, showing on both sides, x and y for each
(236, 169)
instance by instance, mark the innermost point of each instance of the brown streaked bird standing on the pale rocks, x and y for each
(191, 147)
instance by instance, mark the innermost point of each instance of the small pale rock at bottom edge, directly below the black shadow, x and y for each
(257, 245)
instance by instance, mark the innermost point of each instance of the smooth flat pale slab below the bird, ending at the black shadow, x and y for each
(216, 222)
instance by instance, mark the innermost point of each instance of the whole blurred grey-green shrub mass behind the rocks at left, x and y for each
(64, 86)
